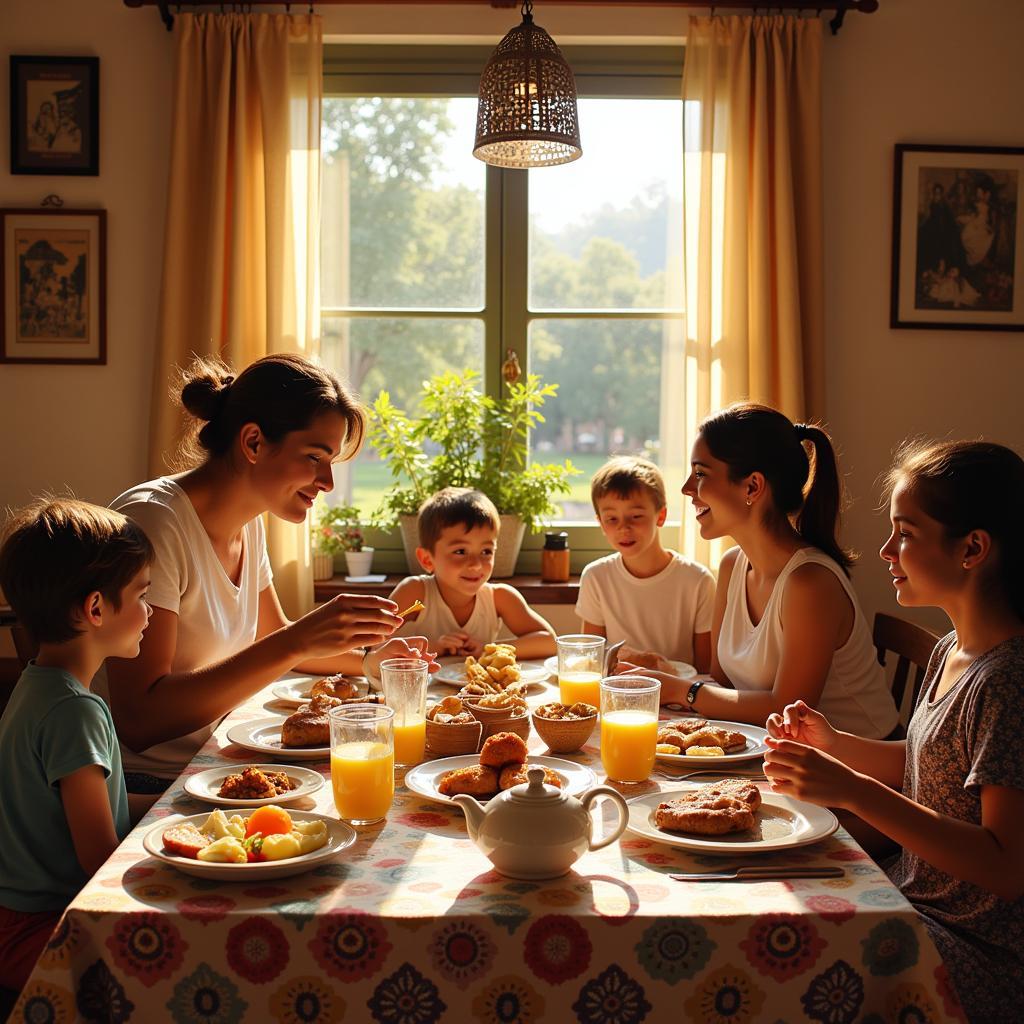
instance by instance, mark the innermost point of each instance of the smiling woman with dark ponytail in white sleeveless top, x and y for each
(787, 624)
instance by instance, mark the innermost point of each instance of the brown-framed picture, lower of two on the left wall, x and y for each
(54, 270)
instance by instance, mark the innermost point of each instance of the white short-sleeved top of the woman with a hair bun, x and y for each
(217, 619)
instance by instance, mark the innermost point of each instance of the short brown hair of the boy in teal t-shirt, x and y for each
(57, 552)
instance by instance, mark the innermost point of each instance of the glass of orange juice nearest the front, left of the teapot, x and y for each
(363, 762)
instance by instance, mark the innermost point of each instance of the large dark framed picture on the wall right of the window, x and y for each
(958, 238)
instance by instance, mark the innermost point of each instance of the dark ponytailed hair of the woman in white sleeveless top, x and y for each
(749, 439)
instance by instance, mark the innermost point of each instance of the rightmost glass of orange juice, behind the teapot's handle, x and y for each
(629, 727)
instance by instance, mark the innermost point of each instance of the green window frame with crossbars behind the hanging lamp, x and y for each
(447, 71)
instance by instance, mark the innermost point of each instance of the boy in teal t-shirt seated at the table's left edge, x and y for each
(76, 576)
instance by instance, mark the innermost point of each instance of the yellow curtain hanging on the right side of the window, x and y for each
(753, 222)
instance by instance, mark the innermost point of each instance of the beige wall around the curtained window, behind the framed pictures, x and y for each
(926, 71)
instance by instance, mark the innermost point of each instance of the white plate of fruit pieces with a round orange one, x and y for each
(258, 843)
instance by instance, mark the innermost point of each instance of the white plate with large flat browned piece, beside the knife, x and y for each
(732, 817)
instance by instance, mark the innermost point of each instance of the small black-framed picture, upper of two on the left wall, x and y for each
(55, 115)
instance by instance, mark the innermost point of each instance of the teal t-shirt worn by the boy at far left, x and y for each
(52, 728)
